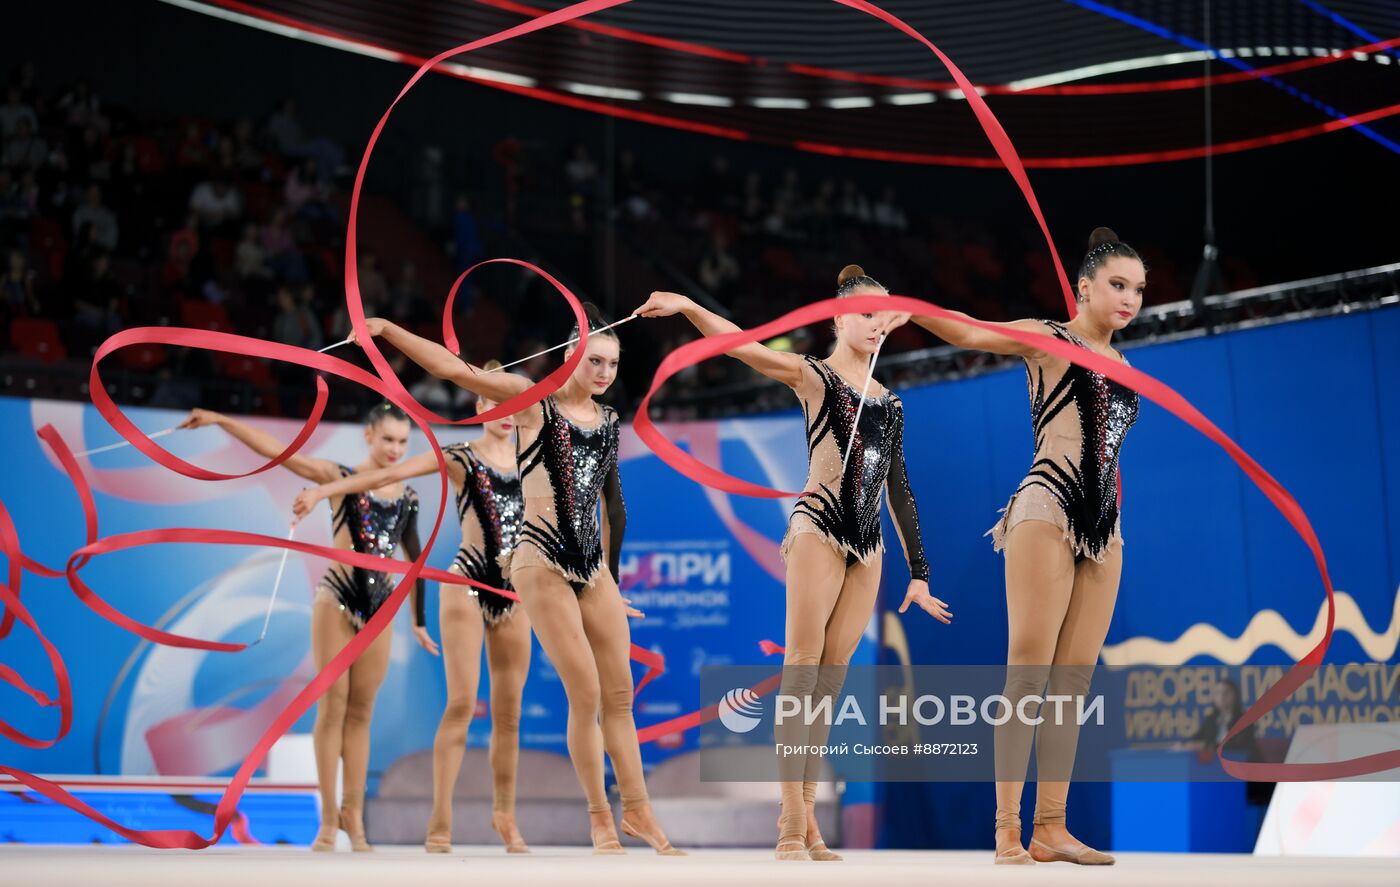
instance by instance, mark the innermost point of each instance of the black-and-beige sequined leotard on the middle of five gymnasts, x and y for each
(563, 472)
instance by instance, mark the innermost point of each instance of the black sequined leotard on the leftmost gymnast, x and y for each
(367, 524)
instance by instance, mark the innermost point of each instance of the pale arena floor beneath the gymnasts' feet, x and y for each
(113, 867)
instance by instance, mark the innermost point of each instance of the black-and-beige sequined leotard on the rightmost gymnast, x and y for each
(1080, 420)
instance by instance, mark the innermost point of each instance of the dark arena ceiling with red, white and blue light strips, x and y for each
(1076, 83)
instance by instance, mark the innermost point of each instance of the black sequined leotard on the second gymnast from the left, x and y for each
(491, 509)
